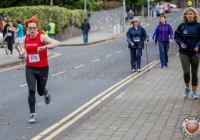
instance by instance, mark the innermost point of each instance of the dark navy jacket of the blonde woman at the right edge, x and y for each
(188, 33)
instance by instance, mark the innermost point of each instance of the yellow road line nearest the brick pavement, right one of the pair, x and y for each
(94, 105)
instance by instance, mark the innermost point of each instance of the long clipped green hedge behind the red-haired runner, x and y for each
(60, 16)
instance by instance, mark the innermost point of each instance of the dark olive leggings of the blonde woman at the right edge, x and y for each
(186, 61)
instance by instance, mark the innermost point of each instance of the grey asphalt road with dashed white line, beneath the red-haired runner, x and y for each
(72, 82)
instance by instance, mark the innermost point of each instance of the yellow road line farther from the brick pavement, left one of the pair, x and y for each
(86, 104)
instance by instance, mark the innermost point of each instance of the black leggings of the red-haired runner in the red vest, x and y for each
(32, 75)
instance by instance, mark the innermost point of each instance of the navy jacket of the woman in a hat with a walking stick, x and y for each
(140, 32)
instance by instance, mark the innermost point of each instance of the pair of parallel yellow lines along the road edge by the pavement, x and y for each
(96, 100)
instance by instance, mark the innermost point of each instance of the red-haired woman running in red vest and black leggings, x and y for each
(37, 69)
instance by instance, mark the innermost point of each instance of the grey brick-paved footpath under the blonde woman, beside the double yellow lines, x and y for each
(152, 108)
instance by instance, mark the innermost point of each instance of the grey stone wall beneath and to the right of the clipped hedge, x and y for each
(98, 20)
